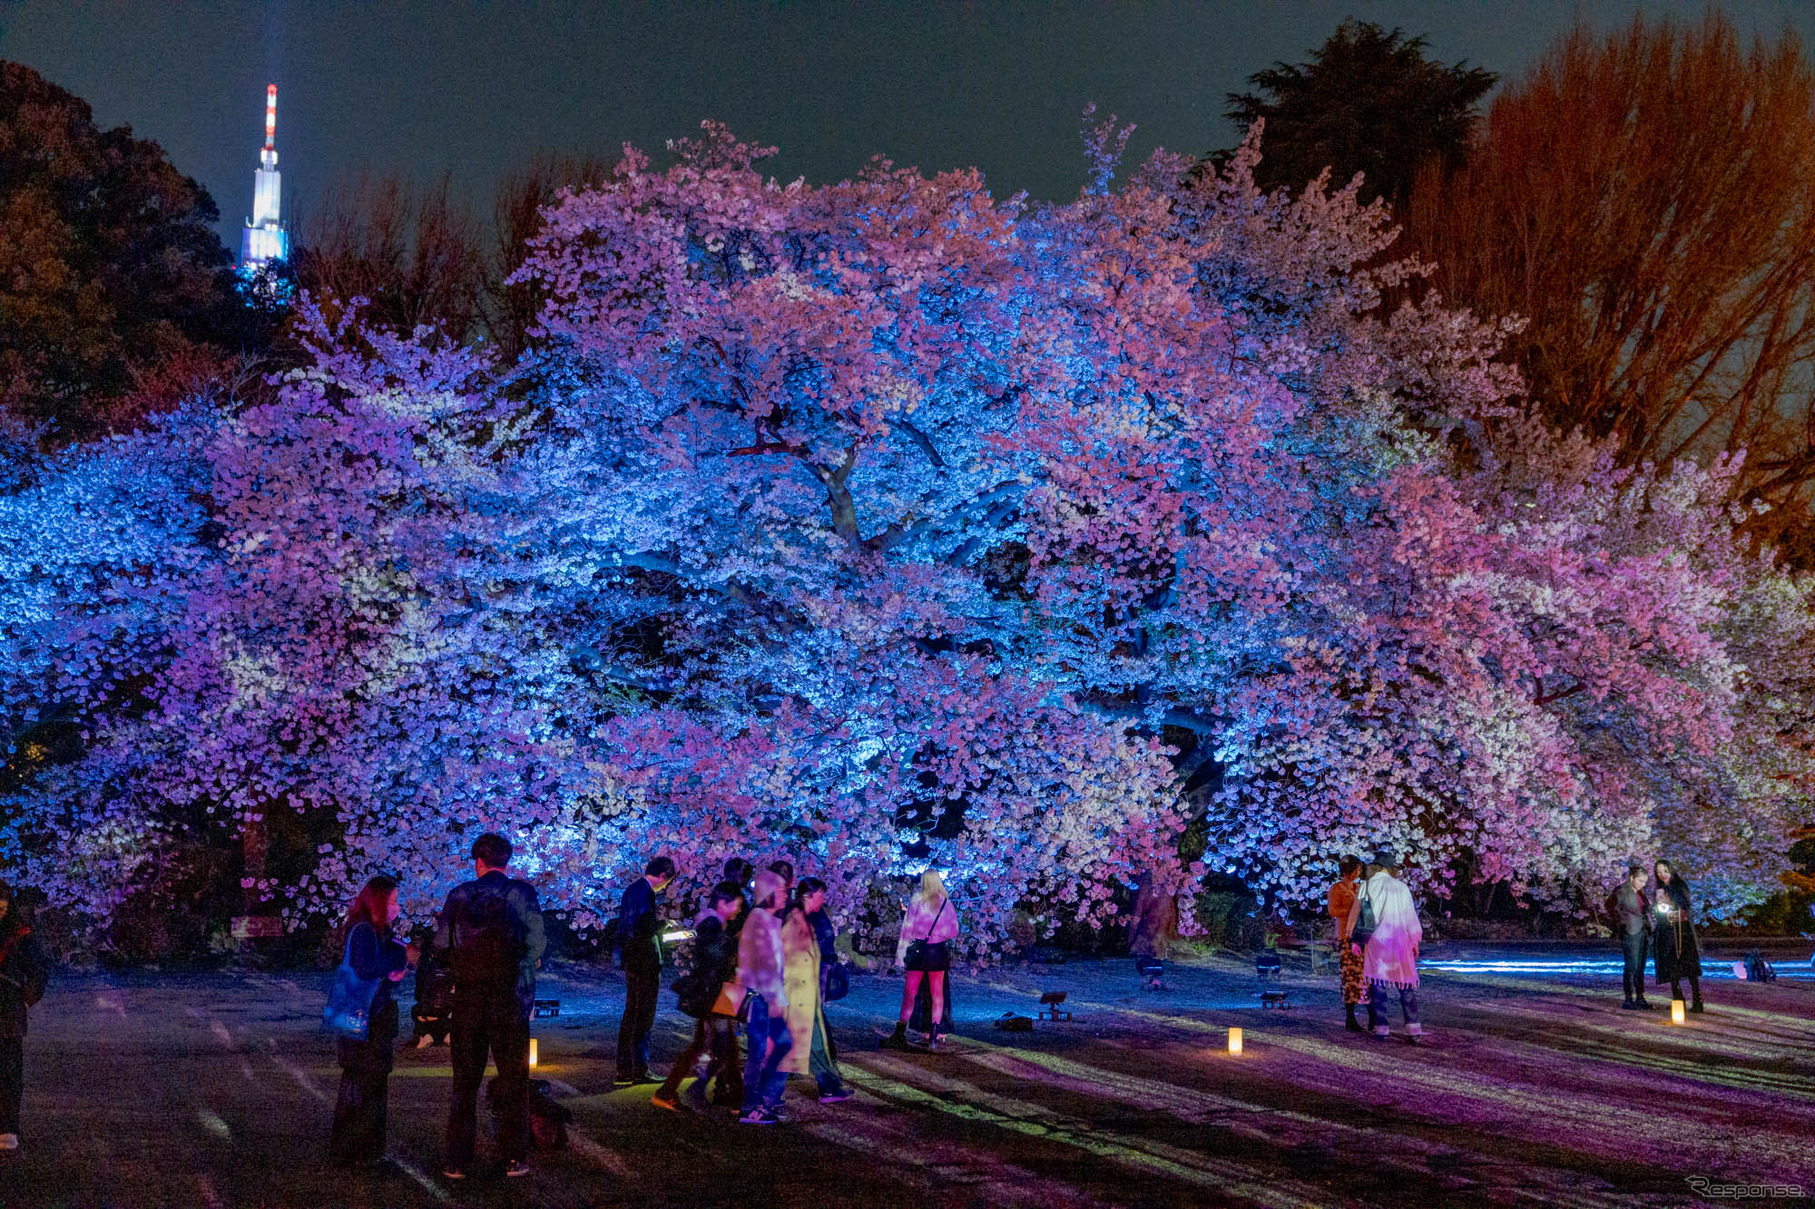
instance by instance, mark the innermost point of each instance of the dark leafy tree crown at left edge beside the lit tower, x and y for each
(115, 288)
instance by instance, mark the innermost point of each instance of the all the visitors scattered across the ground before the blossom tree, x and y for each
(761, 968)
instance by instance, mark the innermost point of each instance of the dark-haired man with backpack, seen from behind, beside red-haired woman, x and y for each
(491, 932)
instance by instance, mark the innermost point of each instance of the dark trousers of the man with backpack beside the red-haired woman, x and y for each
(491, 1019)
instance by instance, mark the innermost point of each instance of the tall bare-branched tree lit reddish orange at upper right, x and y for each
(1647, 201)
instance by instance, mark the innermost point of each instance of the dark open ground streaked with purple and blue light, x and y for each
(1531, 1090)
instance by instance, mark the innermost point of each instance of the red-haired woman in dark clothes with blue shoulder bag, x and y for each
(364, 1014)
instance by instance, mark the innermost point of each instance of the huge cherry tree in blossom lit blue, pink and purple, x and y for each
(890, 524)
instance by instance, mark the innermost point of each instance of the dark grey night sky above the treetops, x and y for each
(473, 90)
